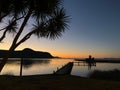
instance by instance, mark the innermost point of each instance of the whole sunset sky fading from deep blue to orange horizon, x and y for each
(94, 29)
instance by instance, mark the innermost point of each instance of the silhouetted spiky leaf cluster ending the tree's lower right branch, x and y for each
(54, 27)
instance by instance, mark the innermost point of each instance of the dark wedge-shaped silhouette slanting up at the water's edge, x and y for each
(66, 69)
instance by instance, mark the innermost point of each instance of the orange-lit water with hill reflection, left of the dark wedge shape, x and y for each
(34, 66)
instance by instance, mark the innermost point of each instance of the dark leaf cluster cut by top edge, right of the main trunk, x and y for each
(44, 8)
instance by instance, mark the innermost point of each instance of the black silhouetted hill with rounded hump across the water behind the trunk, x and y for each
(26, 53)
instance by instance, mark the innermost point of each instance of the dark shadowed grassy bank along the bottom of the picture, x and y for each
(52, 82)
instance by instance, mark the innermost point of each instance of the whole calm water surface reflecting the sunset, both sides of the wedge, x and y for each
(47, 66)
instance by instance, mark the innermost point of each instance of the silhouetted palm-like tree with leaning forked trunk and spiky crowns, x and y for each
(49, 18)
